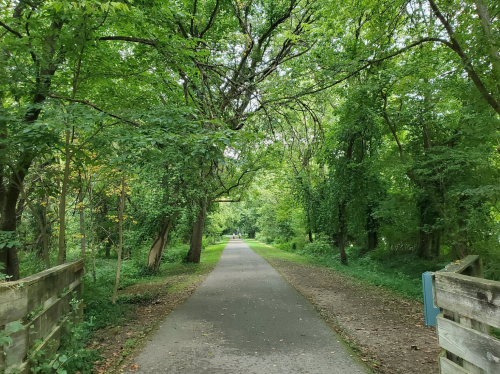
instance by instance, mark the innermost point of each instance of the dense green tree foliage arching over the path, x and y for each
(127, 125)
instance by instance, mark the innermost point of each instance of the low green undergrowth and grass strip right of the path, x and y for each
(400, 273)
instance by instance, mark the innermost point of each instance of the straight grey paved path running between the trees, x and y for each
(245, 318)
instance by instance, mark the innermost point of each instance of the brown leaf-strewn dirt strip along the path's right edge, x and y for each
(387, 331)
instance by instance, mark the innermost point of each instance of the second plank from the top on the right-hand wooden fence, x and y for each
(473, 346)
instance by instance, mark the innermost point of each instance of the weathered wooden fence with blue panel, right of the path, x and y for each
(470, 306)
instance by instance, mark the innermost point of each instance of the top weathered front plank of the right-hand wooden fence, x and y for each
(474, 298)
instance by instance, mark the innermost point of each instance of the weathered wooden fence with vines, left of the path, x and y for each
(42, 302)
